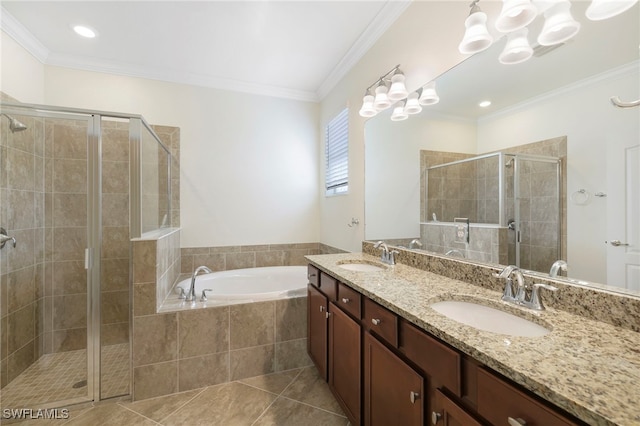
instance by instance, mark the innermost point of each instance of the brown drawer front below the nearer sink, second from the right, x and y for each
(436, 359)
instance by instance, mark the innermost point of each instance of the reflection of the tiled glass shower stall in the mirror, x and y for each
(498, 208)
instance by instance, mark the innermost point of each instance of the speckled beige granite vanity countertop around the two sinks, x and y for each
(588, 368)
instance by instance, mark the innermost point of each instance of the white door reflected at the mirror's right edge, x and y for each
(623, 217)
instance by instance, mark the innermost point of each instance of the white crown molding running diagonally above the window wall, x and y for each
(383, 20)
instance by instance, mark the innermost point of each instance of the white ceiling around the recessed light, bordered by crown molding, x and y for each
(291, 49)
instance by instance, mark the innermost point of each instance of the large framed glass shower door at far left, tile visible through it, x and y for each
(45, 189)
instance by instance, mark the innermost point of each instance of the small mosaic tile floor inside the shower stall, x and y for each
(53, 376)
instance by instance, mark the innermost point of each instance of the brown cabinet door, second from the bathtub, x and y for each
(344, 361)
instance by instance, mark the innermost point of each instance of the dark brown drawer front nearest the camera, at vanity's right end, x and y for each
(498, 401)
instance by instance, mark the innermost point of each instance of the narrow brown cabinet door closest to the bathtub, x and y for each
(317, 329)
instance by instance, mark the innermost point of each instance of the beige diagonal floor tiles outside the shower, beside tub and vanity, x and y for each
(290, 398)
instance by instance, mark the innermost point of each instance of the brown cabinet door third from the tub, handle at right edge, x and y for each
(393, 391)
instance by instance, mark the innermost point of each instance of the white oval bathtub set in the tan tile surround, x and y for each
(272, 282)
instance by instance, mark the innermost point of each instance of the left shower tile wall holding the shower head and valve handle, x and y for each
(21, 268)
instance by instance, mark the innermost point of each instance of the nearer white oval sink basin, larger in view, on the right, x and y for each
(489, 319)
